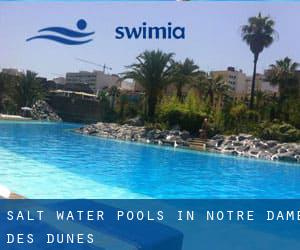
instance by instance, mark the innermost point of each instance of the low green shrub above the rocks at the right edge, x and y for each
(282, 132)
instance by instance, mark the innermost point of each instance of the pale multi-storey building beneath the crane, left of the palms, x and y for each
(97, 80)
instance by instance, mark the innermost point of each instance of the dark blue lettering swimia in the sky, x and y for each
(150, 32)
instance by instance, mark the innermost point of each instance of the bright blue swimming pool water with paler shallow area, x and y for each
(48, 160)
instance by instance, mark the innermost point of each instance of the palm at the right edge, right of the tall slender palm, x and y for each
(283, 74)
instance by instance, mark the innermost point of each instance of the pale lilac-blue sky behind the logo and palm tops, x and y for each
(212, 40)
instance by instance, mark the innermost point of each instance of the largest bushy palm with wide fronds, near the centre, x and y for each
(153, 71)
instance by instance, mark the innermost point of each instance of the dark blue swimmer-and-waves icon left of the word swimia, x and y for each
(68, 36)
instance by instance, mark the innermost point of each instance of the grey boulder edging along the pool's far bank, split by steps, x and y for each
(239, 145)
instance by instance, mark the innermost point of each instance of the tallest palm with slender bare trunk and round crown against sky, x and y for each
(258, 34)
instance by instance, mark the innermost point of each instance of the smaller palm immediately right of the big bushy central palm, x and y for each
(184, 73)
